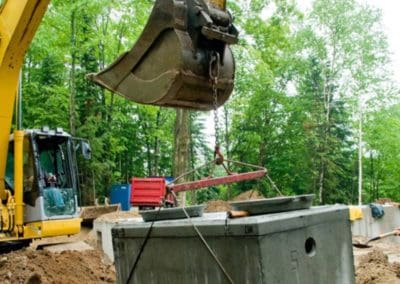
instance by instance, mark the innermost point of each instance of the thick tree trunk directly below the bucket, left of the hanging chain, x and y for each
(181, 148)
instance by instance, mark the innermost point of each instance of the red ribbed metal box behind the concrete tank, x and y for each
(148, 192)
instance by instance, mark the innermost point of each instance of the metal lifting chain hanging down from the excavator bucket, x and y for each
(214, 74)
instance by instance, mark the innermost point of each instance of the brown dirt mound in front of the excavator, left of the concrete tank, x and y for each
(29, 266)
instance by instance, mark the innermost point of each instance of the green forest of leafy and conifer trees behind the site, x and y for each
(315, 101)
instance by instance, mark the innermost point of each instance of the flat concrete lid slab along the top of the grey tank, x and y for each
(217, 224)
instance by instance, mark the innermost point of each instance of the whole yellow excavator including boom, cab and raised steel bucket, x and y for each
(182, 59)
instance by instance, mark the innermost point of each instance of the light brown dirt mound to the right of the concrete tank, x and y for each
(374, 268)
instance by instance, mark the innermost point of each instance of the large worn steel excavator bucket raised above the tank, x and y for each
(171, 62)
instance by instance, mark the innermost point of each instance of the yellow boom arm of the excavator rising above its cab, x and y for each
(19, 20)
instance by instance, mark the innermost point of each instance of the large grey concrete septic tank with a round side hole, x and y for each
(304, 246)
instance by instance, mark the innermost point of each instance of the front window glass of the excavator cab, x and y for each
(56, 176)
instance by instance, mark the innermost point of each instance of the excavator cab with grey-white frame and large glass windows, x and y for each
(49, 186)
